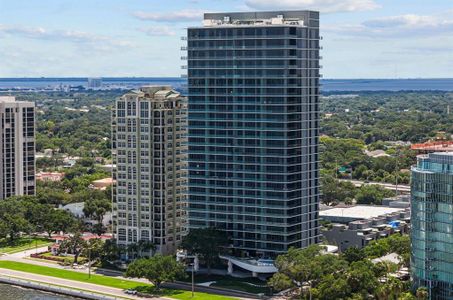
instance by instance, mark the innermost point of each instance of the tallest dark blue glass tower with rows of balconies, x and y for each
(253, 83)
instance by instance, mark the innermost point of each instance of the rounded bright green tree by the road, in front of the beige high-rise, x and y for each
(157, 269)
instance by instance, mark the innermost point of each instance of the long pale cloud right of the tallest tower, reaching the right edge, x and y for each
(401, 26)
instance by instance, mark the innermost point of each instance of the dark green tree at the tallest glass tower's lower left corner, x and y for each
(208, 243)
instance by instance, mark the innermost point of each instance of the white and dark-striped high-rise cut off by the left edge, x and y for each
(17, 147)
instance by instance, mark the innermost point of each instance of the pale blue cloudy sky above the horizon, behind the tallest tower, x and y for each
(110, 38)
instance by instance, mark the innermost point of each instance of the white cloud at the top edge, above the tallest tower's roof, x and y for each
(326, 6)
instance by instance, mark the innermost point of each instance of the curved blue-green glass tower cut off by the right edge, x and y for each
(432, 224)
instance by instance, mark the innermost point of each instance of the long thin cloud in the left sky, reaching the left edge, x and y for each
(78, 37)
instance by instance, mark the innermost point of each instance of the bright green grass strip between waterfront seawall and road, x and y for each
(105, 280)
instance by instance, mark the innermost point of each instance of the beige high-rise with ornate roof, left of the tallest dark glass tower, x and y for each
(150, 152)
